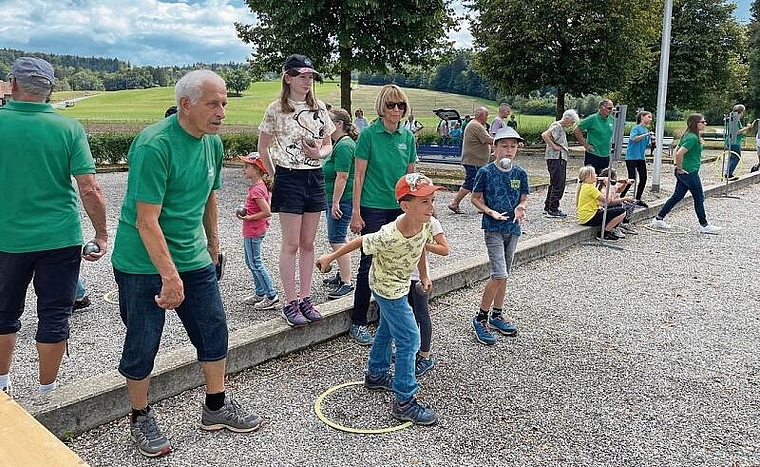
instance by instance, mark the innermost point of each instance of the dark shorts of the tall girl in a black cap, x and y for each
(298, 191)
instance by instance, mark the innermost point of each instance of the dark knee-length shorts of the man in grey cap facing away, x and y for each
(55, 275)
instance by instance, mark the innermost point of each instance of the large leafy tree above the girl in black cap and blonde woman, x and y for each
(345, 35)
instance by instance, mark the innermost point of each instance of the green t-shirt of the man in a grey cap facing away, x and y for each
(39, 153)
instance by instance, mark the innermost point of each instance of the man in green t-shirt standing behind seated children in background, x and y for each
(598, 140)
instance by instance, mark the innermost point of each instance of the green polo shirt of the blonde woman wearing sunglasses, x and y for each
(388, 155)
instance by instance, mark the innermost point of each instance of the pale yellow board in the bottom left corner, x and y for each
(26, 442)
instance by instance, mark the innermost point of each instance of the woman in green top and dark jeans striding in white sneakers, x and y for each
(687, 160)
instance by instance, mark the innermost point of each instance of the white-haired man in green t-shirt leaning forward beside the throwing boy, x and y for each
(163, 252)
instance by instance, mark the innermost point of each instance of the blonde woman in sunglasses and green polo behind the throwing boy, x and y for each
(384, 152)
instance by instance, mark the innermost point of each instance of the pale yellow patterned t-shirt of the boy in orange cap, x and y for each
(394, 258)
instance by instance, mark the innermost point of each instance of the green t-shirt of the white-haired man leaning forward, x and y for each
(170, 167)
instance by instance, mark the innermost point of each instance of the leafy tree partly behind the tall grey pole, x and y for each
(707, 68)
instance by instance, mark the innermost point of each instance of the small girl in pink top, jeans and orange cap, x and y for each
(255, 215)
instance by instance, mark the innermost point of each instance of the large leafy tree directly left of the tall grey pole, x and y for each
(577, 46)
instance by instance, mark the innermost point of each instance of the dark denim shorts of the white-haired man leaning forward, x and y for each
(202, 315)
